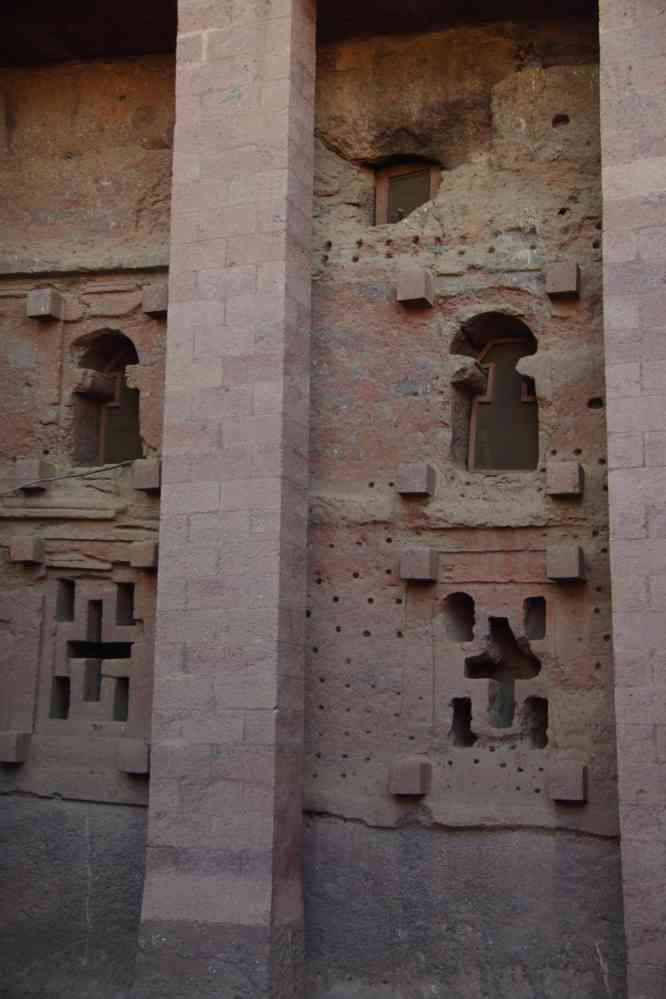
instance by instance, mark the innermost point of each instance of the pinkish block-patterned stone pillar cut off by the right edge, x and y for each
(633, 102)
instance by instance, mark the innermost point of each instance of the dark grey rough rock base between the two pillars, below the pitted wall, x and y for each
(399, 914)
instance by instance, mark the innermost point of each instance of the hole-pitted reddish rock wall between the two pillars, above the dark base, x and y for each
(512, 116)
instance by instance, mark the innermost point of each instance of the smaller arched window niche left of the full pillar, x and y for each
(106, 409)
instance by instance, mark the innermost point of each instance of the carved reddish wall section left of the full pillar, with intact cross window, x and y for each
(79, 546)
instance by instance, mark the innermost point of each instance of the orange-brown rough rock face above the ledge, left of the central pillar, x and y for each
(85, 150)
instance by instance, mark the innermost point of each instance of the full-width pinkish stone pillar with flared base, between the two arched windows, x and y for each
(222, 908)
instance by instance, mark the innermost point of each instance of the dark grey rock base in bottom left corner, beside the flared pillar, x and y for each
(72, 877)
